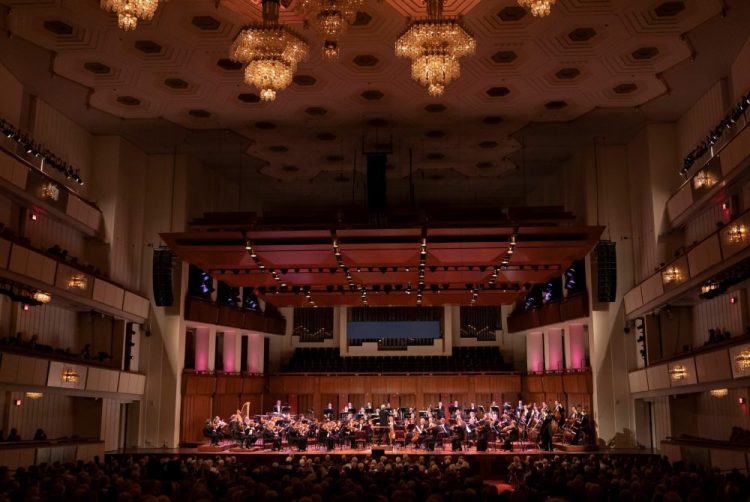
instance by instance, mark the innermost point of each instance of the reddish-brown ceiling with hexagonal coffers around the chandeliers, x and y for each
(593, 67)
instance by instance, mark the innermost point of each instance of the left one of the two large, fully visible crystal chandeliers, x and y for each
(271, 52)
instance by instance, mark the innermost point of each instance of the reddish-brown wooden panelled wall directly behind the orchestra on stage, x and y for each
(408, 391)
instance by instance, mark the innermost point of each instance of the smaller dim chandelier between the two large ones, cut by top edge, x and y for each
(330, 18)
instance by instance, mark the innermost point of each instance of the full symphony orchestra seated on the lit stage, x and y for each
(462, 427)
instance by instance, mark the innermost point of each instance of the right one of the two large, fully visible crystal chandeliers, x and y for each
(435, 45)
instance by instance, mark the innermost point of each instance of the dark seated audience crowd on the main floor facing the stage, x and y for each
(395, 478)
